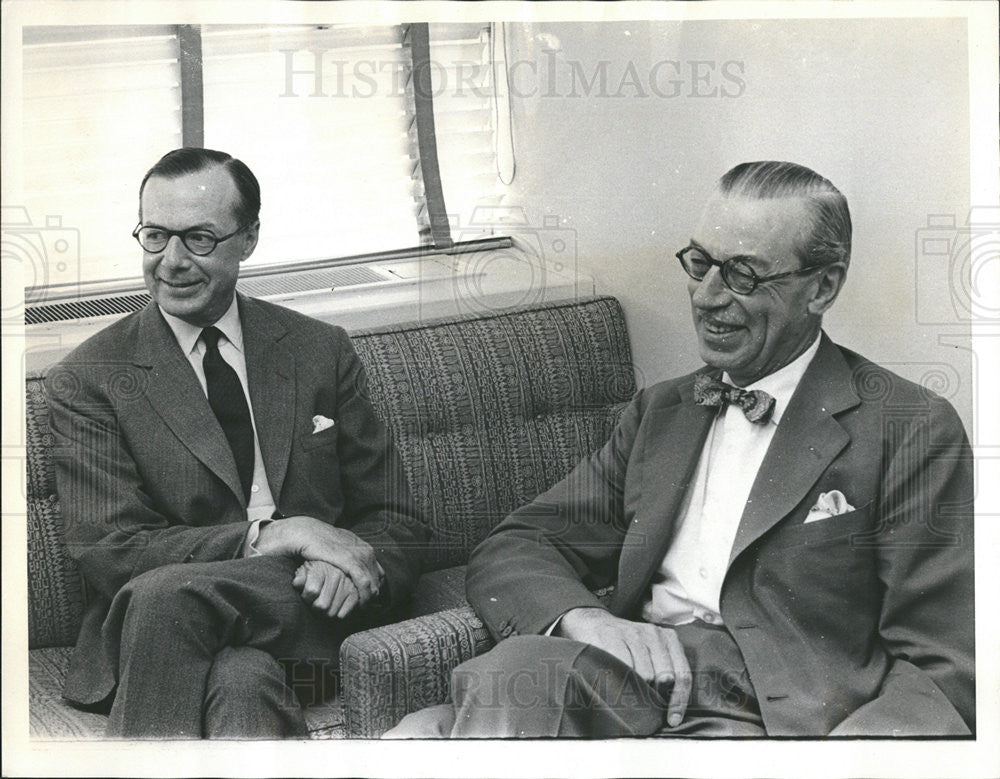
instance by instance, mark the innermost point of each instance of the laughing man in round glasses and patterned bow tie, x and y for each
(785, 534)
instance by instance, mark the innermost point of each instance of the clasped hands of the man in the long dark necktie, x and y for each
(339, 571)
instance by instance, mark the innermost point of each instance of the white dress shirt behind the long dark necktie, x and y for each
(261, 505)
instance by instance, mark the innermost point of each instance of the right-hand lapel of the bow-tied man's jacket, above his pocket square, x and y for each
(807, 440)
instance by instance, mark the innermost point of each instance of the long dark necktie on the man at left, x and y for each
(228, 401)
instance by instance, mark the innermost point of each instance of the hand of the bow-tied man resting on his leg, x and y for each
(653, 652)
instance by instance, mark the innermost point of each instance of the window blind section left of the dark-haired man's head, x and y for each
(101, 104)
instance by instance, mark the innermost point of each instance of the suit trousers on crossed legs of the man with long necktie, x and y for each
(222, 649)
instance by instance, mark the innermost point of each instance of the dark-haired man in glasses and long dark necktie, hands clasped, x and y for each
(233, 502)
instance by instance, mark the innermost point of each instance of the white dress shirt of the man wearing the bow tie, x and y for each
(688, 584)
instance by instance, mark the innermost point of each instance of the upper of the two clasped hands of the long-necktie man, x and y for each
(312, 539)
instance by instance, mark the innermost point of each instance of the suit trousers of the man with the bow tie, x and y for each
(548, 687)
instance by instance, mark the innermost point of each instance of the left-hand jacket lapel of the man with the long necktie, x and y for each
(175, 394)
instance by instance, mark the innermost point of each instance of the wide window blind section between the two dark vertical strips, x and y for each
(319, 116)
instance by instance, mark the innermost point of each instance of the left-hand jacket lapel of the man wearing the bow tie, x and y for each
(676, 438)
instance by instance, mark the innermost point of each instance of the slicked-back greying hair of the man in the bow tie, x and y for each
(830, 240)
